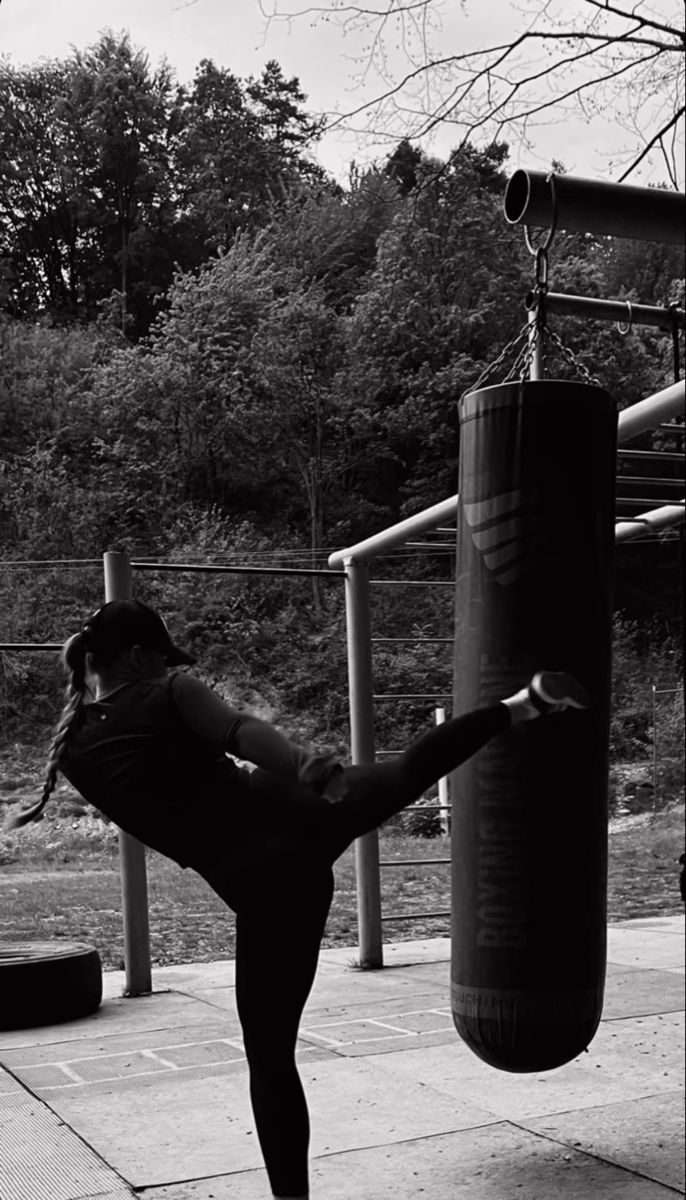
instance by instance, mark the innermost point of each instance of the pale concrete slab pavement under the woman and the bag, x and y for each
(149, 1097)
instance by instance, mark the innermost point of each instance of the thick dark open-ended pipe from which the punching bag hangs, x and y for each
(647, 214)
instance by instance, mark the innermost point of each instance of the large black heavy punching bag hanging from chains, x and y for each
(529, 831)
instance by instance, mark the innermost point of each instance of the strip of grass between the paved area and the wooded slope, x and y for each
(61, 880)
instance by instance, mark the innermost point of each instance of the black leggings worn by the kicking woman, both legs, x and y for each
(279, 880)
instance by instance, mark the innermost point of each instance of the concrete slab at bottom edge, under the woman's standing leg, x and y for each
(497, 1163)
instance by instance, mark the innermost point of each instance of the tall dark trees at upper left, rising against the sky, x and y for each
(87, 199)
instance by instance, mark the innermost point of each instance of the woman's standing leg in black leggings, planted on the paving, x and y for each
(281, 916)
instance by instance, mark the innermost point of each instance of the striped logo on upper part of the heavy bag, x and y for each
(510, 544)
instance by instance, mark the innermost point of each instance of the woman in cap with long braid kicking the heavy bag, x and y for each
(148, 747)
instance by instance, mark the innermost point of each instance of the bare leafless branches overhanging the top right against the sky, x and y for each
(609, 58)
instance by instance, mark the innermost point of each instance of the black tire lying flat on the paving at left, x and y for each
(46, 983)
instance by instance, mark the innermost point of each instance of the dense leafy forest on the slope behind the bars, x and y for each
(212, 352)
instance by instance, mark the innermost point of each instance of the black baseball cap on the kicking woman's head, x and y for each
(122, 625)
